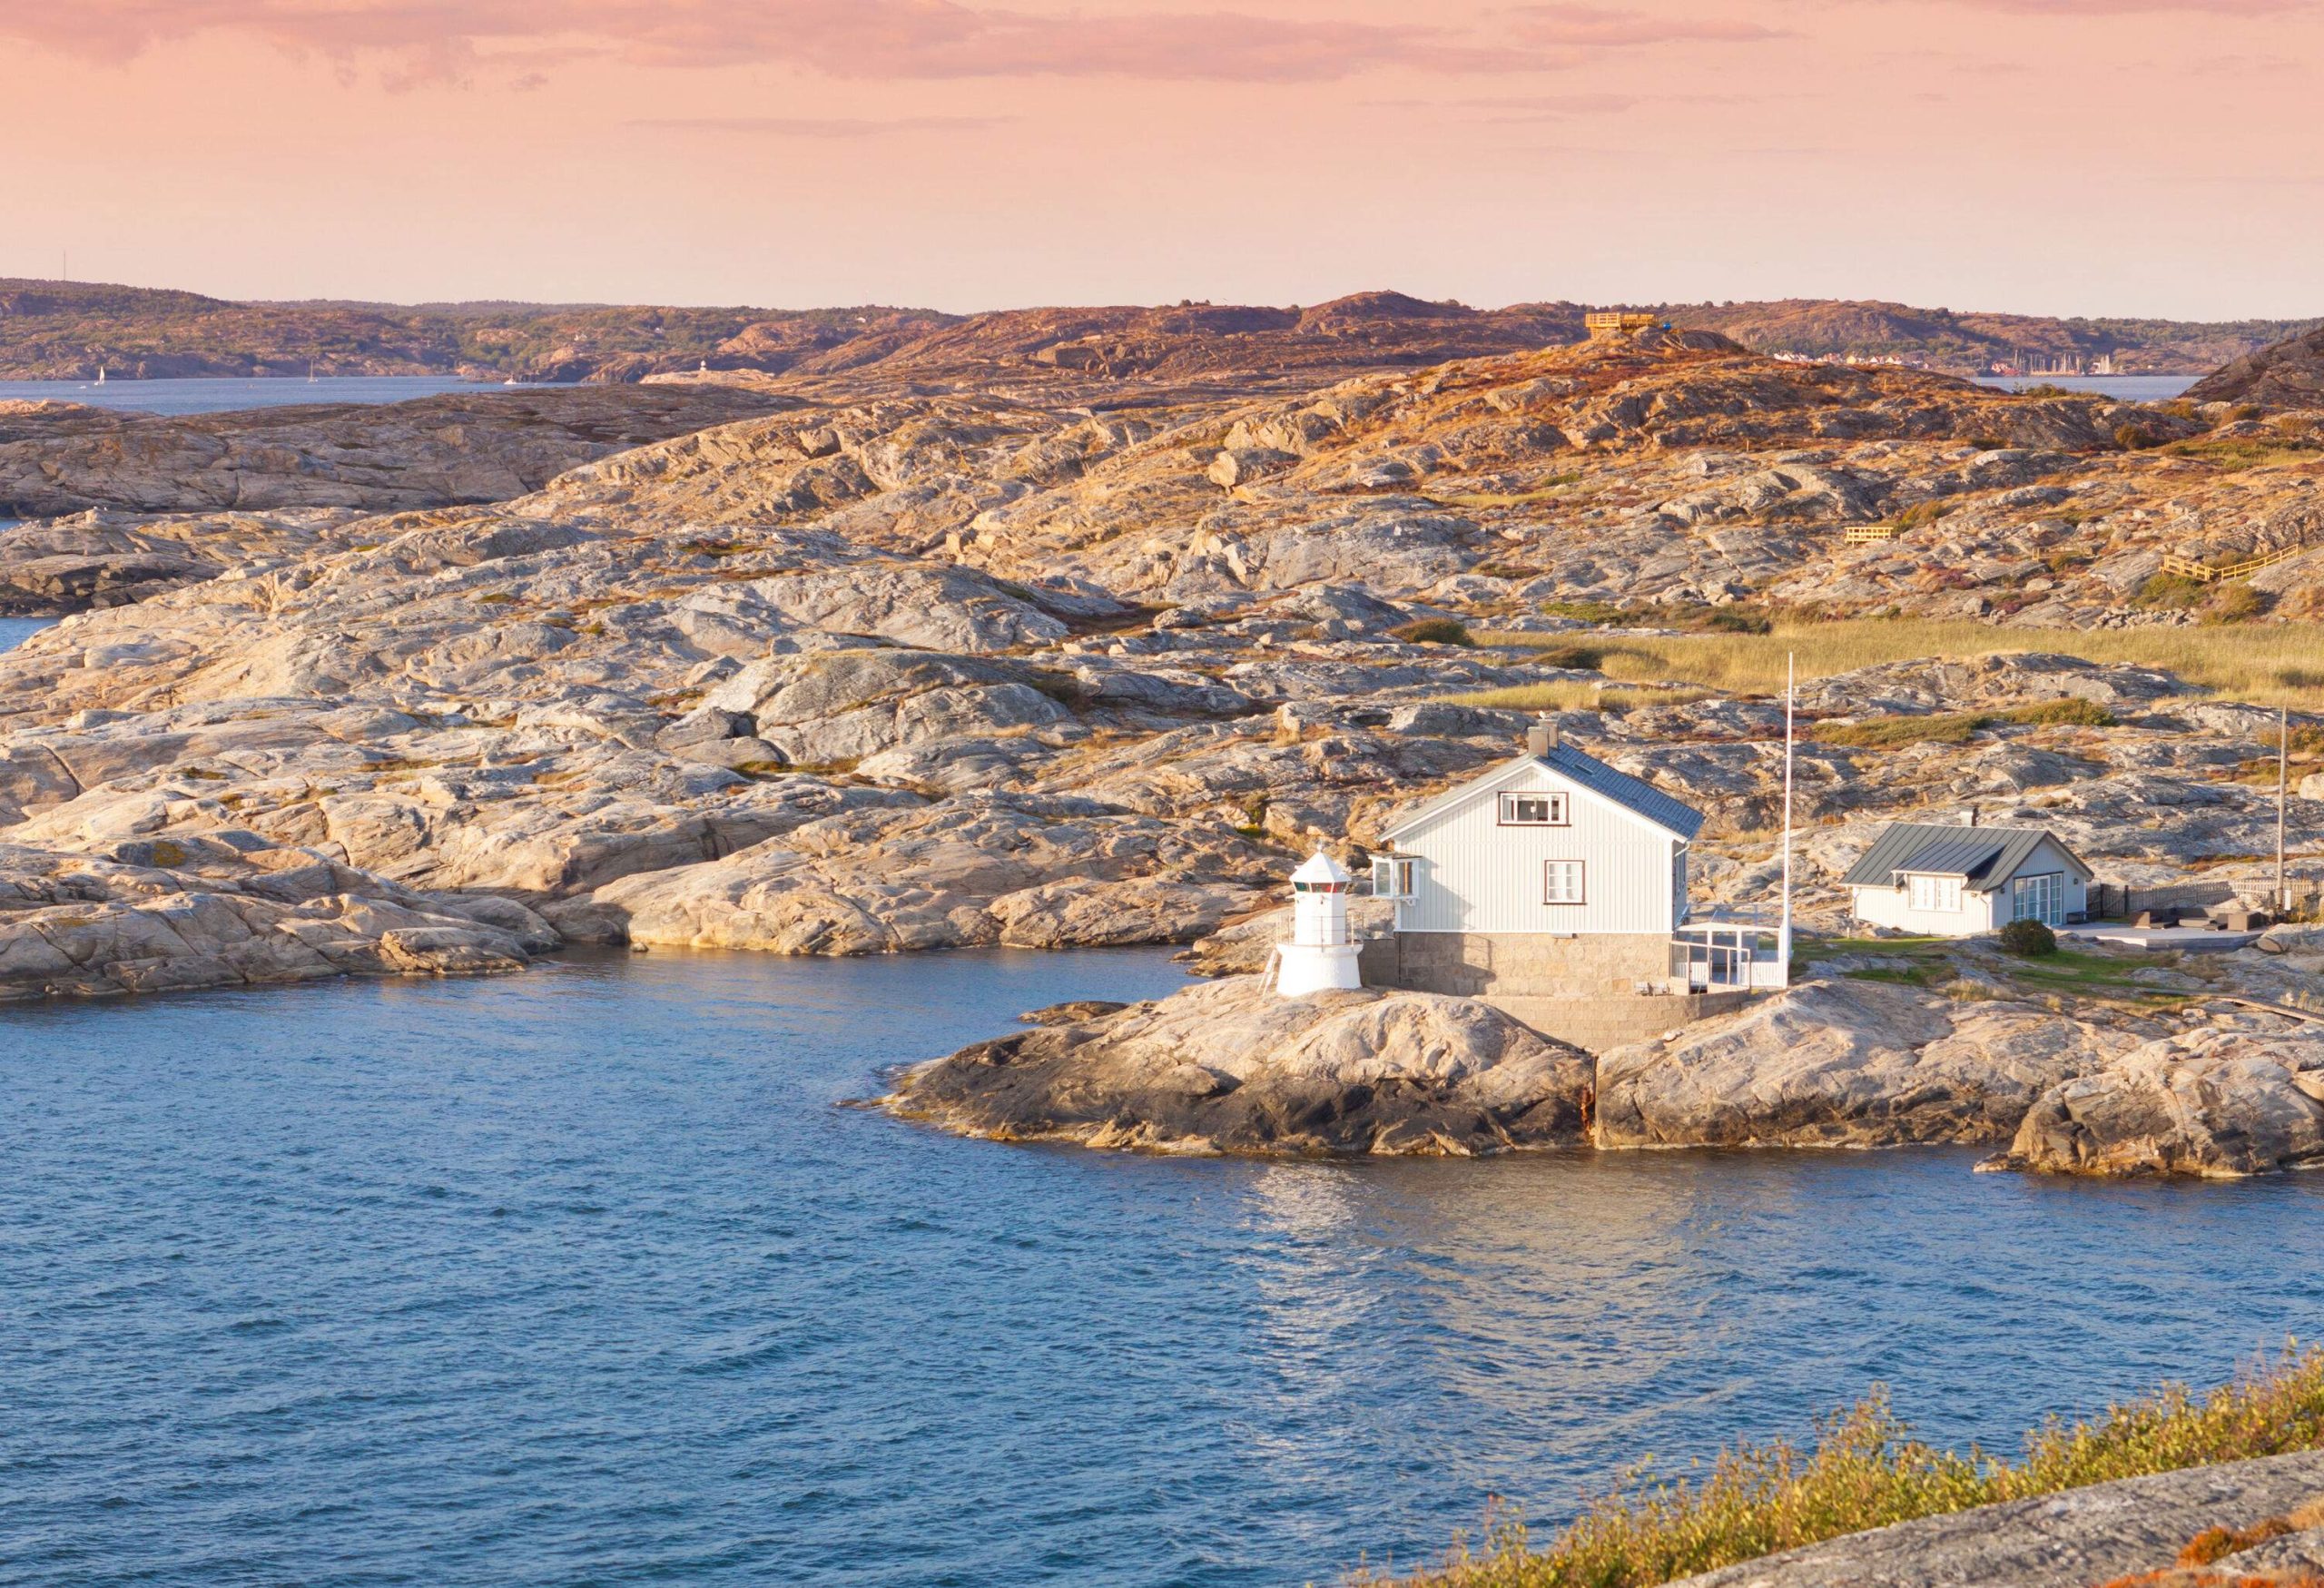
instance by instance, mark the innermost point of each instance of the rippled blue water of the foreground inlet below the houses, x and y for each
(582, 1278)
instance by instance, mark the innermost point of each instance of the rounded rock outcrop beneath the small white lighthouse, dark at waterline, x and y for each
(1233, 1068)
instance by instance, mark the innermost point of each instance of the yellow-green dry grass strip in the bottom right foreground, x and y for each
(1867, 1471)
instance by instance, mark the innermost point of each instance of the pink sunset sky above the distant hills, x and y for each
(2100, 157)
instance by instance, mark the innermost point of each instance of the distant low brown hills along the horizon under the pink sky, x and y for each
(73, 329)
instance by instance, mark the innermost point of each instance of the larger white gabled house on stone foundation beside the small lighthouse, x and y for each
(1549, 875)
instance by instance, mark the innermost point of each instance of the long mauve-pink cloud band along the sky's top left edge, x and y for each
(452, 41)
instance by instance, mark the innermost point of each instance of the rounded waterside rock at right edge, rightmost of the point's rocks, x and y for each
(2202, 1103)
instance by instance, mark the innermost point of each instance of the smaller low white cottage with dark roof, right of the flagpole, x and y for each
(1956, 880)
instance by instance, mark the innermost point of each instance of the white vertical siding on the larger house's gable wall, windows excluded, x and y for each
(1477, 875)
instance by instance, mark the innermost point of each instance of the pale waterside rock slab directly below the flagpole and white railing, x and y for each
(1844, 1064)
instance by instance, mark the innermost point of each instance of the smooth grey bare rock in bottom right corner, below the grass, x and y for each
(2072, 1540)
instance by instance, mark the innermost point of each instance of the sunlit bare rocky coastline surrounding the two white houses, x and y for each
(903, 666)
